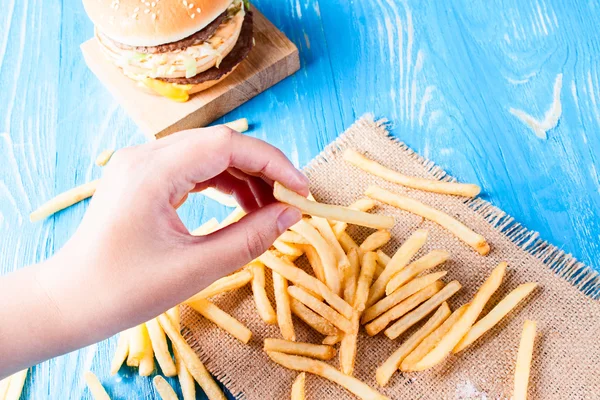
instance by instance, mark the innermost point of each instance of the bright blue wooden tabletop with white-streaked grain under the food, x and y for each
(444, 73)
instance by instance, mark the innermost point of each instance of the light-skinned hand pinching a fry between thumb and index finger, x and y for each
(132, 258)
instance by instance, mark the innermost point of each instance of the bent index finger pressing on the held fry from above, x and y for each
(201, 154)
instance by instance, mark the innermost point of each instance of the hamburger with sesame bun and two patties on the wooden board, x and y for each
(173, 48)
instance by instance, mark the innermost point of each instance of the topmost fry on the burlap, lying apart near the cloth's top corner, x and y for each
(428, 185)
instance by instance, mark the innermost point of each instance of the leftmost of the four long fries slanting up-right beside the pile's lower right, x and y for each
(390, 366)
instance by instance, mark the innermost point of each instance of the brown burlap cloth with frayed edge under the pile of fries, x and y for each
(566, 362)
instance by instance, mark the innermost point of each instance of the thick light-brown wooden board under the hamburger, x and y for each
(273, 58)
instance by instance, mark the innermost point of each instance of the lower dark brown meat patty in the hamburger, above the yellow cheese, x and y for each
(241, 49)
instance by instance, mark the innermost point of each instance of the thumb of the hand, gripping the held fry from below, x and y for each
(234, 246)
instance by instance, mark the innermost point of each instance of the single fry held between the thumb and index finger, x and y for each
(331, 212)
